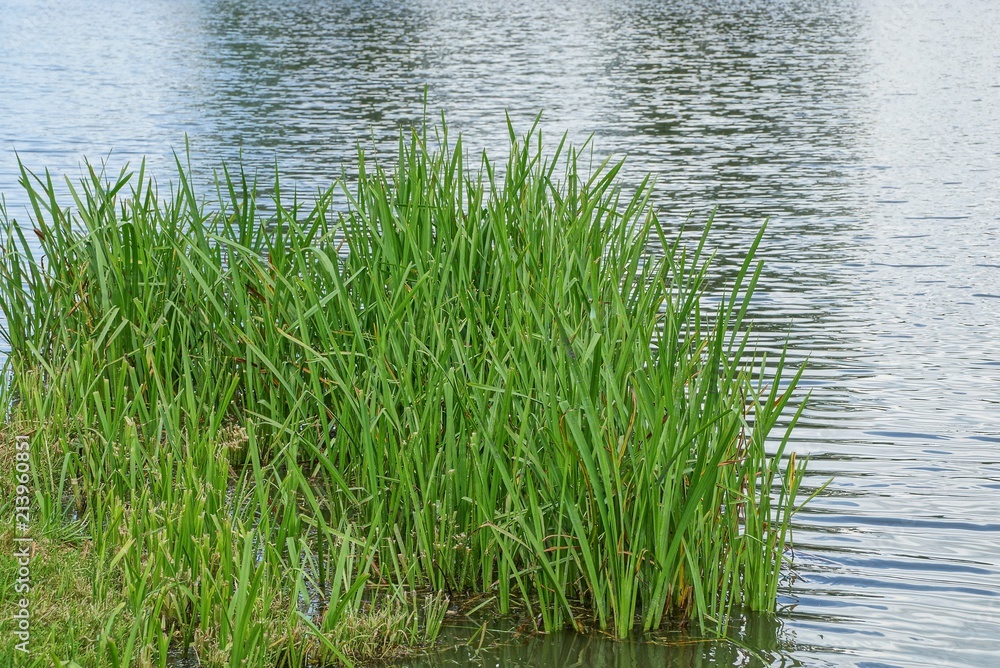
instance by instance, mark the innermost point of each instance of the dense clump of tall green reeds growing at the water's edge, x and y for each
(297, 439)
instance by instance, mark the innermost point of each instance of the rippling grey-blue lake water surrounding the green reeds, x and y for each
(867, 130)
